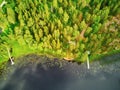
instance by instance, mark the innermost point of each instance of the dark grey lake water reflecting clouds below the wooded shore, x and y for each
(62, 75)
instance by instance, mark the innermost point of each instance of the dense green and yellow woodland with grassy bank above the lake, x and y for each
(64, 28)
